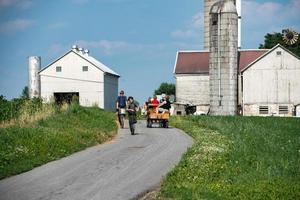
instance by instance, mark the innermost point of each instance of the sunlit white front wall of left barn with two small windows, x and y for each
(89, 84)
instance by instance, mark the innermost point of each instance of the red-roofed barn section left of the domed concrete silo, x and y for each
(192, 81)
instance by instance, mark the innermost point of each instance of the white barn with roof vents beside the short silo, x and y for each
(76, 73)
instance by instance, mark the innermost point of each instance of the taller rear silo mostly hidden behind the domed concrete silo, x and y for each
(207, 6)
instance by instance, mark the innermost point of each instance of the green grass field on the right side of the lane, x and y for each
(237, 158)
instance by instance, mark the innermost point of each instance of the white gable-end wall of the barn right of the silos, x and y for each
(273, 80)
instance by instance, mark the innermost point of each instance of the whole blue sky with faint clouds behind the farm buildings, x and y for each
(136, 38)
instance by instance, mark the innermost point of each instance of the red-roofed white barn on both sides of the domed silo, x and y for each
(268, 81)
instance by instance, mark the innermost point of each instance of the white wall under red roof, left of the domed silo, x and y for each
(192, 89)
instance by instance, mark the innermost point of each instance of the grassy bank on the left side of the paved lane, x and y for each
(25, 146)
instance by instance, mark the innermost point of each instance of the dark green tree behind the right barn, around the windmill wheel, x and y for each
(272, 39)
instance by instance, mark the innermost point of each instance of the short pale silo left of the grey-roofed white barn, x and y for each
(34, 84)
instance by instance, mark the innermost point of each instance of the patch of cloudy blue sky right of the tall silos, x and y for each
(258, 19)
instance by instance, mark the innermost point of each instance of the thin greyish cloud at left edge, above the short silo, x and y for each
(16, 25)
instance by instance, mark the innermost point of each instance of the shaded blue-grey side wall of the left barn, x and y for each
(110, 91)
